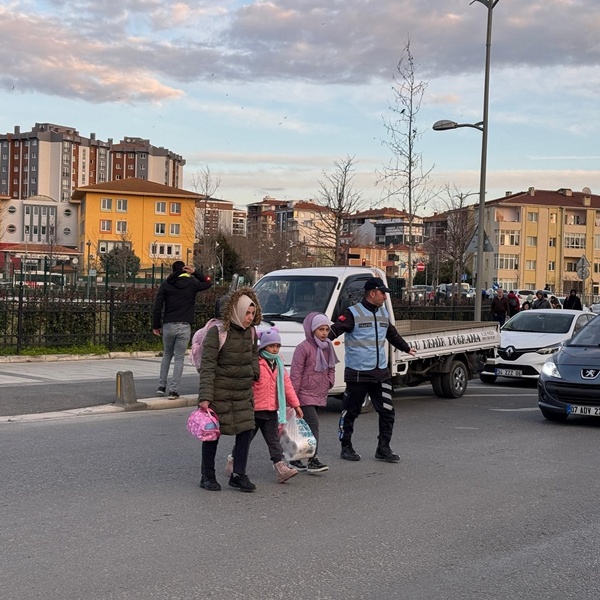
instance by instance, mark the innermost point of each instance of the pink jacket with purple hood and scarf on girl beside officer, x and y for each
(311, 386)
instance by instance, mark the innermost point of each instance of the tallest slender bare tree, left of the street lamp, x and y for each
(405, 178)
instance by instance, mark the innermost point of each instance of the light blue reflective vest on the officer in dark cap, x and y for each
(365, 344)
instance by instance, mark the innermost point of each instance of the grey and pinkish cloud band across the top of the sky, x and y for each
(155, 47)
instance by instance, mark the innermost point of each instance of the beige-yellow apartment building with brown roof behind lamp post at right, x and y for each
(539, 239)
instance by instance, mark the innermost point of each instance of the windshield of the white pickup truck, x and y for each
(293, 297)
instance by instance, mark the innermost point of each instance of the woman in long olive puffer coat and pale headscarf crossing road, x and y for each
(227, 372)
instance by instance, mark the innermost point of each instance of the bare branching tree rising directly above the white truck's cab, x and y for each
(340, 199)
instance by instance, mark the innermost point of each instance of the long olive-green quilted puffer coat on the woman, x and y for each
(226, 377)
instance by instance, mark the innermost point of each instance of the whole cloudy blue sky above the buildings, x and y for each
(270, 94)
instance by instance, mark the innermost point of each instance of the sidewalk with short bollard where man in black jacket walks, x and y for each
(72, 376)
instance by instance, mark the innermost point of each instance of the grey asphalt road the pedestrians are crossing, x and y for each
(489, 502)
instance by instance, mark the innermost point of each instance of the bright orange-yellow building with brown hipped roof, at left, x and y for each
(157, 221)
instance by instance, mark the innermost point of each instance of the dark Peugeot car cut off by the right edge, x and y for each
(569, 383)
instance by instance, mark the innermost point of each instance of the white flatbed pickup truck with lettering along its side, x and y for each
(449, 353)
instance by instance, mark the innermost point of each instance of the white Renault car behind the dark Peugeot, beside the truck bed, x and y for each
(528, 339)
